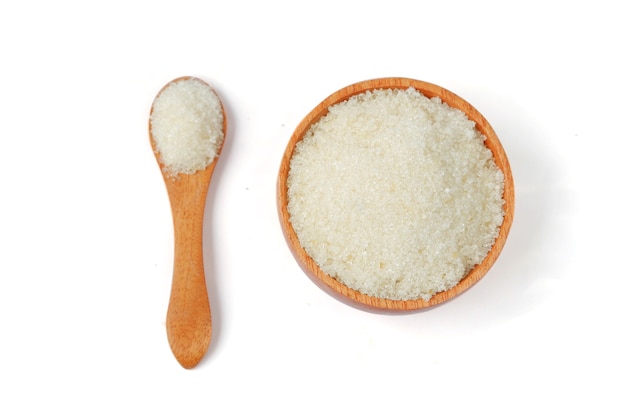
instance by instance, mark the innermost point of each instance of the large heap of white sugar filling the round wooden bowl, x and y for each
(395, 195)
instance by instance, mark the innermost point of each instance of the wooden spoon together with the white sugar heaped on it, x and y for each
(187, 128)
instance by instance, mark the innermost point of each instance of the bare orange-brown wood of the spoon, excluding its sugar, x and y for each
(188, 319)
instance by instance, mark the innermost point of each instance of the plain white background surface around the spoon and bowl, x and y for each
(86, 240)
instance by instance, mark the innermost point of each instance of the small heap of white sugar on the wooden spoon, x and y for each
(187, 126)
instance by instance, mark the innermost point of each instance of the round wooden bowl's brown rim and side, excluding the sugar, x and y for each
(343, 292)
